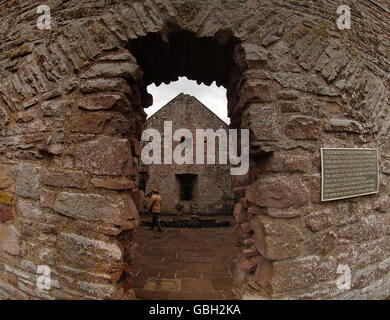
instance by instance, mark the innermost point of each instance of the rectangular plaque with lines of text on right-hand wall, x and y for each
(348, 173)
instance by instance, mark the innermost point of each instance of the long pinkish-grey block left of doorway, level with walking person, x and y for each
(113, 209)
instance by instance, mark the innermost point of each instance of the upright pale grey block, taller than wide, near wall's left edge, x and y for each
(27, 181)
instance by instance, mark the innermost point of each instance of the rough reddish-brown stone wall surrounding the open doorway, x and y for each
(71, 105)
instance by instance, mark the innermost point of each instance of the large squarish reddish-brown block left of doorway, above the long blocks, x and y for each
(105, 156)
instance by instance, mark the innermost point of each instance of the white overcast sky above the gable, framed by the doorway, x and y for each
(212, 97)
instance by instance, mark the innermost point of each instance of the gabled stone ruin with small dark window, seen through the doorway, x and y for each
(193, 188)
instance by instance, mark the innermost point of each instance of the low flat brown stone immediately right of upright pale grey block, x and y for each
(65, 179)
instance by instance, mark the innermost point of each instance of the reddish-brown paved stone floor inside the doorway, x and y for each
(185, 264)
